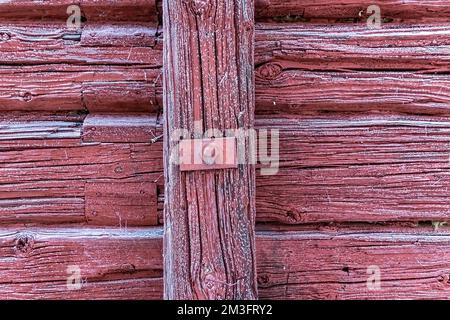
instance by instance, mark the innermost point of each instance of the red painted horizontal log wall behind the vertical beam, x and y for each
(364, 128)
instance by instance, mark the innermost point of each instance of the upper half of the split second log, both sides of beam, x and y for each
(335, 47)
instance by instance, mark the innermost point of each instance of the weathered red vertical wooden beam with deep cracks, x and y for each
(209, 84)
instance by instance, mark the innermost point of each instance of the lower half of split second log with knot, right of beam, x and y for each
(283, 89)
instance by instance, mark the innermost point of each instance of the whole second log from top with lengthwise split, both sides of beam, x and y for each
(76, 79)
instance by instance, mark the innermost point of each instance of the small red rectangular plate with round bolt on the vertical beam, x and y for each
(207, 154)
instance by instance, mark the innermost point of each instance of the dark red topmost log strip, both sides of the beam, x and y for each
(278, 10)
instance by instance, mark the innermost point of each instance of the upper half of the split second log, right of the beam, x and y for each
(350, 47)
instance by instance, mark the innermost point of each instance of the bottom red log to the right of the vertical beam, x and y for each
(334, 264)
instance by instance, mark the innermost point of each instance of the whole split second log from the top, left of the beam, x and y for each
(50, 68)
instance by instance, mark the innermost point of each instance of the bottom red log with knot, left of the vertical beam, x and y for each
(113, 263)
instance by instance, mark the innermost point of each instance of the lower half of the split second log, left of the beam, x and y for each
(79, 89)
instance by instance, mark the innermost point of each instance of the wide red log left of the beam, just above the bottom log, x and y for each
(47, 172)
